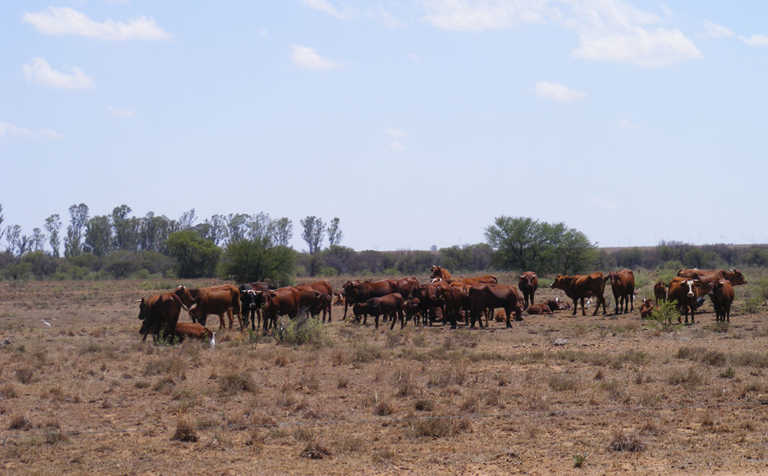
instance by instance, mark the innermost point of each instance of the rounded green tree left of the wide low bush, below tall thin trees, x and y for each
(195, 256)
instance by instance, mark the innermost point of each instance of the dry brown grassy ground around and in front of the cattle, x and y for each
(85, 395)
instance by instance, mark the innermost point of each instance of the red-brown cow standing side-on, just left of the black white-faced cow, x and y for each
(216, 300)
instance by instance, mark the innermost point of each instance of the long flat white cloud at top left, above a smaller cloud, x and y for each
(67, 21)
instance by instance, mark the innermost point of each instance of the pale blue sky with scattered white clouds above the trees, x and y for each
(416, 122)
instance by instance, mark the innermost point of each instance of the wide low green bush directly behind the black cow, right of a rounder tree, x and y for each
(257, 260)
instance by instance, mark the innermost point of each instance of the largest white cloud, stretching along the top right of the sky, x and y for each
(608, 30)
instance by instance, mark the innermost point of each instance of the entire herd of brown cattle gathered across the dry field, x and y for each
(443, 298)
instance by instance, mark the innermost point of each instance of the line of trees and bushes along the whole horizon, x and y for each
(248, 247)
